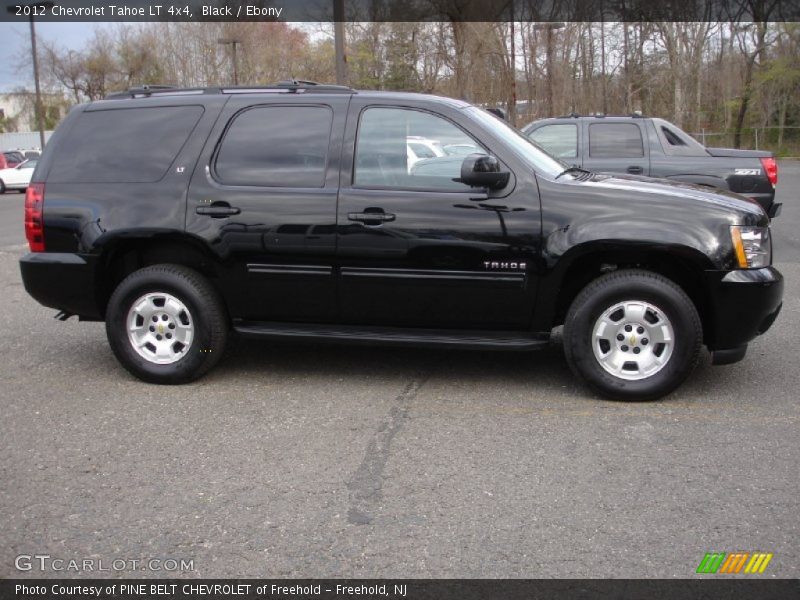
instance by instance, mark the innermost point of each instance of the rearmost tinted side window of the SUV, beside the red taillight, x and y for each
(127, 145)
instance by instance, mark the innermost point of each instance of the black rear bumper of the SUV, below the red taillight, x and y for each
(62, 281)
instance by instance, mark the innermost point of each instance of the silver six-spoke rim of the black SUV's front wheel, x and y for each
(633, 340)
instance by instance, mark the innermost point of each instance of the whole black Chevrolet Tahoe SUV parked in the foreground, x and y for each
(297, 212)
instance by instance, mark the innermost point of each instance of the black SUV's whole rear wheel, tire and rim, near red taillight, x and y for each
(205, 317)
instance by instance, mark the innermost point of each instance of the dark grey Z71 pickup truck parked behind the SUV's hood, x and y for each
(657, 148)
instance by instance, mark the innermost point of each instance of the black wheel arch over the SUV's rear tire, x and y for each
(128, 256)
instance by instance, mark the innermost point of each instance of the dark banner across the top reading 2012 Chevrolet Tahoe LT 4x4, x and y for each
(402, 10)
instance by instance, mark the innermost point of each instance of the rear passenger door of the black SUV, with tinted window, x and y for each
(263, 197)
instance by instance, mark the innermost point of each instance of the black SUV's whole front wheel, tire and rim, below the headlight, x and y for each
(582, 347)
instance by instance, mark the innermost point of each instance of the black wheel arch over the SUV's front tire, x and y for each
(681, 270)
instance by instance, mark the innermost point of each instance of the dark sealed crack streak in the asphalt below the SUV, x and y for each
(366, 484)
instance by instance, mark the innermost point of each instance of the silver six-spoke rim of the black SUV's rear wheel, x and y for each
(160, 328)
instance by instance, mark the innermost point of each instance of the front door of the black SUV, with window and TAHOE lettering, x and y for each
(415, 246)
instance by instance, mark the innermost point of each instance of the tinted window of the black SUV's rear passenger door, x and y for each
(276, 146)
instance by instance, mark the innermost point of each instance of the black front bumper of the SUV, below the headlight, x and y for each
(743, 305)
